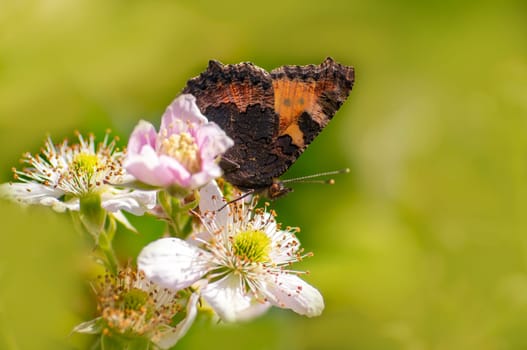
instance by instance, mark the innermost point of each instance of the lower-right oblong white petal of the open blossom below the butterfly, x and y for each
(291, 292)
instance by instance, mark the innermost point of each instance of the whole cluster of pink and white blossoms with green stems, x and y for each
(229, 257)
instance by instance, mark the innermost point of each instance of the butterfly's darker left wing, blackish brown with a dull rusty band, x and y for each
(239, 98)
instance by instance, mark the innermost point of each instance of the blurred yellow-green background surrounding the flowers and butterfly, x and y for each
(422, 246)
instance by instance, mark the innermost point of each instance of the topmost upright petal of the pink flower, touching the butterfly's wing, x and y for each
(183, 108)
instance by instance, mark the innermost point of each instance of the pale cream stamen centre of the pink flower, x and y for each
(184, 149)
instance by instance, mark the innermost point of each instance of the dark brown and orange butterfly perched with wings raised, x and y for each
(271, 116)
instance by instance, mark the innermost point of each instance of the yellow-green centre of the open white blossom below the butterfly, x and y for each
(252, 245)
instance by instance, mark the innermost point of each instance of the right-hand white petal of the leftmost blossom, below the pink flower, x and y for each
(135, 202)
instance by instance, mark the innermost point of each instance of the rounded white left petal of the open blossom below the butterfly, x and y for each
(173, 263)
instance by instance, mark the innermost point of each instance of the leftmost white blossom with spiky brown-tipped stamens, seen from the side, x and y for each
(63, 174)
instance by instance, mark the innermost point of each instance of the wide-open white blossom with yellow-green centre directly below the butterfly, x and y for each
(243, 254)
